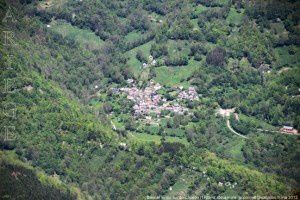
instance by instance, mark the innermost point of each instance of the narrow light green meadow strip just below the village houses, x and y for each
(144, 138)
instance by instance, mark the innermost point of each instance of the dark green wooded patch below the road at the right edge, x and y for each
(279, 154)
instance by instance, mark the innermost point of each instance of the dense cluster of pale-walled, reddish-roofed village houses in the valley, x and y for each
(149, 101)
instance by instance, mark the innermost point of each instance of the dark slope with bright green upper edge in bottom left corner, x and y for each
(21, 181)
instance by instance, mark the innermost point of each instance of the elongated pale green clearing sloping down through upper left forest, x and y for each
(86, 38)
